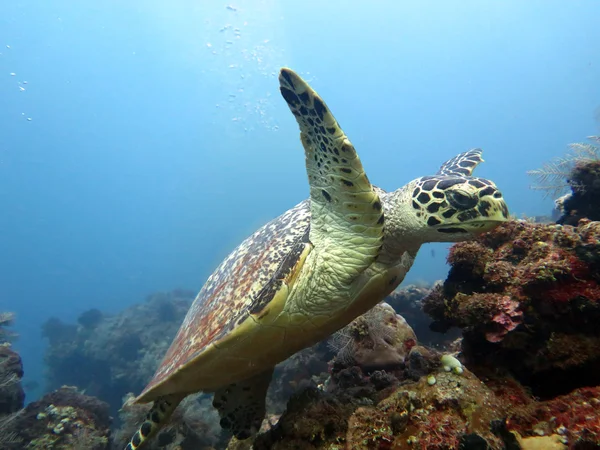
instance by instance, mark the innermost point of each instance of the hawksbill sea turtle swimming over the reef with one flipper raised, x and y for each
(312, 270)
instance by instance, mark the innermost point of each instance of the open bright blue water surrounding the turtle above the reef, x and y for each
(141, 141)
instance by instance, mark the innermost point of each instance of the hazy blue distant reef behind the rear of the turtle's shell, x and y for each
(115, 355)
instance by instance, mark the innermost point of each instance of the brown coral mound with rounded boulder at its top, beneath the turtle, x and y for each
(387, 392)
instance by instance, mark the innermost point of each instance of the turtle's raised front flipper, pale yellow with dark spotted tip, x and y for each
(346, 212)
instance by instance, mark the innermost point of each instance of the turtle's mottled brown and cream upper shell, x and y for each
(242, 285)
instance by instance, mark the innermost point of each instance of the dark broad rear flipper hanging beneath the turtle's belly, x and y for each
(241, 405)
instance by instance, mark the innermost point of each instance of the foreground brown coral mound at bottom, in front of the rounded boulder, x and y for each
(358, 411)
